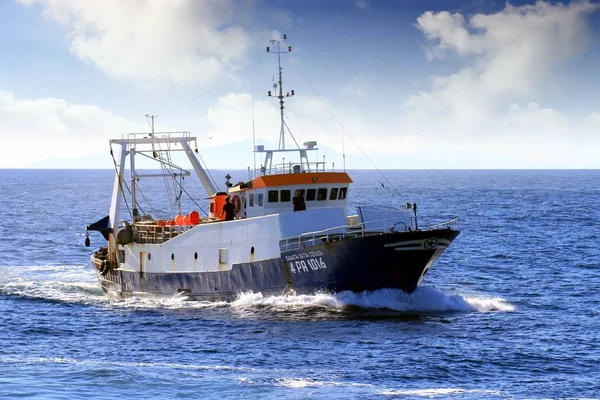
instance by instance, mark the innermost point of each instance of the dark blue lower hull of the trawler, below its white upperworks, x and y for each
(393, 260)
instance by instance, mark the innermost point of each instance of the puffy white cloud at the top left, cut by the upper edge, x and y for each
(176, 41)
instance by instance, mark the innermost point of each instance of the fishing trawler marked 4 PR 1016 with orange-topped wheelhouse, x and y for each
(287, 229)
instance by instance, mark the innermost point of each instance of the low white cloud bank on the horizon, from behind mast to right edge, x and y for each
(527, 137)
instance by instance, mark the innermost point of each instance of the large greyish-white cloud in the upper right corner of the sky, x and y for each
(508, 55)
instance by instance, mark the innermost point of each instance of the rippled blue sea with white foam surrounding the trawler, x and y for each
(511, 310)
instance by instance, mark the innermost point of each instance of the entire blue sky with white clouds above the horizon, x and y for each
(391, 84)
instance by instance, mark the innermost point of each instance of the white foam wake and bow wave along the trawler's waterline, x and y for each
(77, 283)
